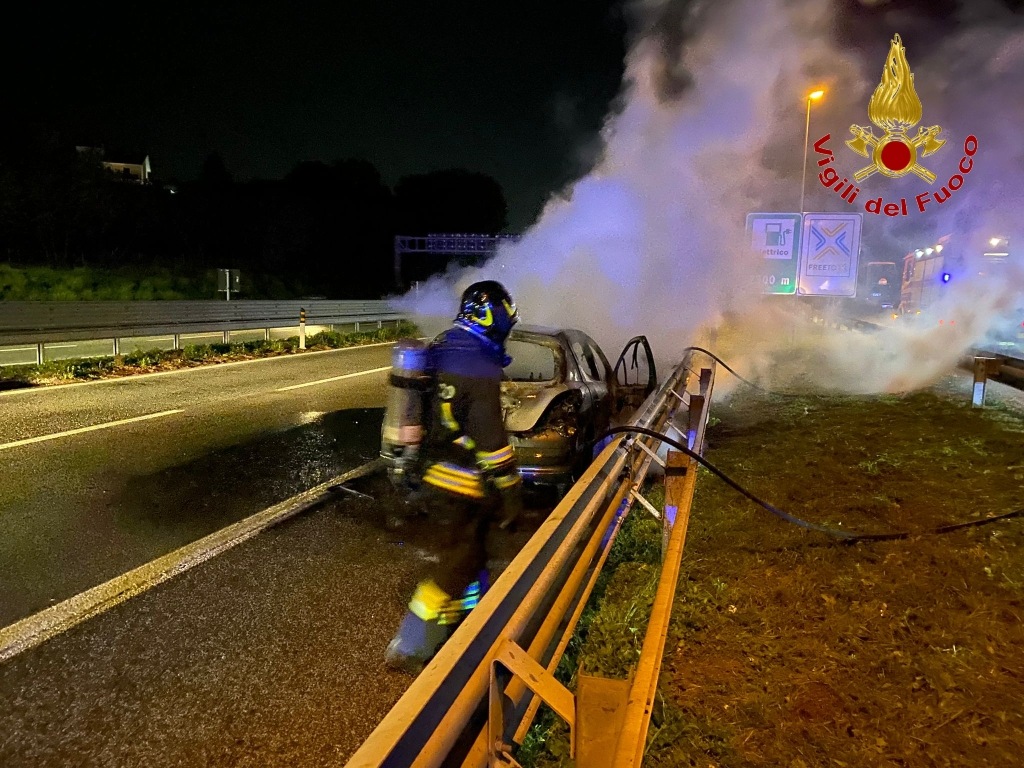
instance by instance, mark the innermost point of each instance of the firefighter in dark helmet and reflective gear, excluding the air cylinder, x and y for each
(471, 482)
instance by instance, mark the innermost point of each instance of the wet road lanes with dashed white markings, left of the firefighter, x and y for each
(101, 478)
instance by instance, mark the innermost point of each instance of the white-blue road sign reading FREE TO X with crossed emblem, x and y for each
(831, 250)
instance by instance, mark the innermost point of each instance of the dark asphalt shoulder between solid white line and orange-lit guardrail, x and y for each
(269, 655)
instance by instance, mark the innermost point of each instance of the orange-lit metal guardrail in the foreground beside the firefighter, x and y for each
(482, 692)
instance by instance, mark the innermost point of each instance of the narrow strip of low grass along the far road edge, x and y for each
(143, 362)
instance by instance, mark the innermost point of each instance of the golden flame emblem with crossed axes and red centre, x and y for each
(895, 109)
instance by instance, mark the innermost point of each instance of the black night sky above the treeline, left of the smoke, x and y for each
(517, 91)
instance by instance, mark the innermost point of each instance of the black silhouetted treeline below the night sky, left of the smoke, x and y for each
(326, 229)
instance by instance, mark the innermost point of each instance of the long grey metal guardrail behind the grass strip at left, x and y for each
(39, 323)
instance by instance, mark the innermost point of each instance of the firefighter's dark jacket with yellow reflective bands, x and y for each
(466, 451)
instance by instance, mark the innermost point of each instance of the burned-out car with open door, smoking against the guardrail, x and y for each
(561, 393)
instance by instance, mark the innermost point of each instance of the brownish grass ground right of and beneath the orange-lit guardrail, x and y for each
(788, 649)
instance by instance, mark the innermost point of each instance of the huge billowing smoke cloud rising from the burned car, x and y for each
(710, 127)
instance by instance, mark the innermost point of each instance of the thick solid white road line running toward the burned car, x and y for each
(57, 620)
